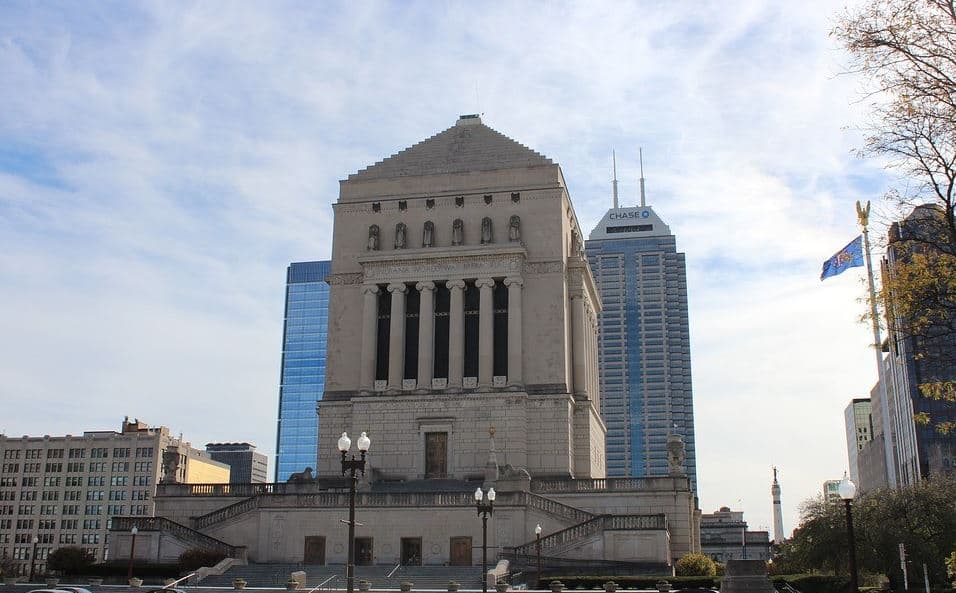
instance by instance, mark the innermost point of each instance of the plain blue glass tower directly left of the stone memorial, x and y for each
(302, 379)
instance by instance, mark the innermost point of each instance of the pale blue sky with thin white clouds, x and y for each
(161, 163)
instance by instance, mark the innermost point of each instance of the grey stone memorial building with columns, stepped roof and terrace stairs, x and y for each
(462, 339)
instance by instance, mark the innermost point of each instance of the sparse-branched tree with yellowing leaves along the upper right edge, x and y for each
(906, 52)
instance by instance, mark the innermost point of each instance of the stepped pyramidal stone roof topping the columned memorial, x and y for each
(469, 145)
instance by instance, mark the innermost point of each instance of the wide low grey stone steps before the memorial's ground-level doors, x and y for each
(381, 577)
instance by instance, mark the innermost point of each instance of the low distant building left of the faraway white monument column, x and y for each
(724, 536)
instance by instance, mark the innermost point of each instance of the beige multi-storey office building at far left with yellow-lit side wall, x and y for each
(64, 490)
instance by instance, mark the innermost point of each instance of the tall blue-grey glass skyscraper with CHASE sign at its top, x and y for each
(644, 344)
